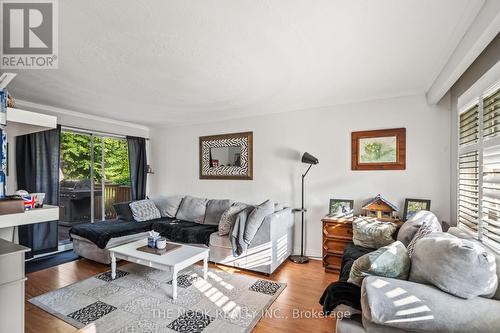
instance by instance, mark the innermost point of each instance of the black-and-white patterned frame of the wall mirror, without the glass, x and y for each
(243, 140)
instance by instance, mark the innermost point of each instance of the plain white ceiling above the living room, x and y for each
(163, 62)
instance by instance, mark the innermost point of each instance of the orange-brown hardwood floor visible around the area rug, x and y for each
(305, 286)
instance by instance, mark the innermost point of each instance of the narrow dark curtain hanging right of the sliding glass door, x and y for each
(138, 166)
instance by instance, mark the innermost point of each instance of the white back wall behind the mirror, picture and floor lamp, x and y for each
(280, 139)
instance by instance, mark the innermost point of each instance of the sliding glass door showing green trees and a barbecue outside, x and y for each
(94, 175)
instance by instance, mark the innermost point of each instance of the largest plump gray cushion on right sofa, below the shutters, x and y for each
(461, 267)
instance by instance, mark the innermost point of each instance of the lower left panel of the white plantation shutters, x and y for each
(468, 191)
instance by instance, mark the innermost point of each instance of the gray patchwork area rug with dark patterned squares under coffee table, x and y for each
(139, 300)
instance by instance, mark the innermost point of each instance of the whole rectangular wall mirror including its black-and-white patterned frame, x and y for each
(227, 156)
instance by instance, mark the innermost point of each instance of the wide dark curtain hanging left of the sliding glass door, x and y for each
(37, 164)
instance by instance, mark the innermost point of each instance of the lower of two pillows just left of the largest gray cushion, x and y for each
(390, 261)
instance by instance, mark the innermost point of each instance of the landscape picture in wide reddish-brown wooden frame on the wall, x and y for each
(379, 149)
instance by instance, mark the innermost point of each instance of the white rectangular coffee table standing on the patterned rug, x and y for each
(174, 261)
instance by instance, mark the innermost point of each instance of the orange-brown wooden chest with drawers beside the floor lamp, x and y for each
(337, 232)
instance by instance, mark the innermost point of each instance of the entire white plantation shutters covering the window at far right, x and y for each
(478, 189)
